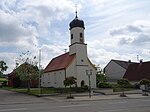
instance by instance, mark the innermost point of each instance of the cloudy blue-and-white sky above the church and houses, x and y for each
(114, 29)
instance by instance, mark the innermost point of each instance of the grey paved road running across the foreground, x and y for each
(25, 103)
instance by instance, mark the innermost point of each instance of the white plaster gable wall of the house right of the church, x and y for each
(114, 71)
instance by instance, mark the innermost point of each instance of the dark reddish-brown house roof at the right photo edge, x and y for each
(138, 71)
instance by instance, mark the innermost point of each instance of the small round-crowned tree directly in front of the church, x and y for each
(69, 81)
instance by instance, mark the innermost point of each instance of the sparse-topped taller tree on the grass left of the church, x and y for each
(28, 69)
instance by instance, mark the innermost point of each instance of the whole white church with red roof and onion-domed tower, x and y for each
(73, 63)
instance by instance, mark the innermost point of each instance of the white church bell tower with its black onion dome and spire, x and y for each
(77, 39)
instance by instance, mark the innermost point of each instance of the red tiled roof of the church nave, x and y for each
(59, 62)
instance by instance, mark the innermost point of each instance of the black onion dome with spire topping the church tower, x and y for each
(76, 23)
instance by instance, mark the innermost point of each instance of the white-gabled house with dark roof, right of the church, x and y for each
(116, 69)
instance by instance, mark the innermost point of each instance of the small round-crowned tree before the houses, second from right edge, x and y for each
(123, 83)
